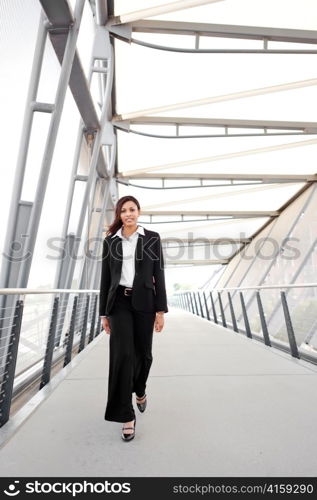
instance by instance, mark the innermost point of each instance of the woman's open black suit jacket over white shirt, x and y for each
(149, 293)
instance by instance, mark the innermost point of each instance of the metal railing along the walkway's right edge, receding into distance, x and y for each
(269, 321)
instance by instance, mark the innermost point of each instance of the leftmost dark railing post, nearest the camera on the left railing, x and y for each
(8, 376)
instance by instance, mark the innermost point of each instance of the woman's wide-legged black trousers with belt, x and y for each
(130, 356)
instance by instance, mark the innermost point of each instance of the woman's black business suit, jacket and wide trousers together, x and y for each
(131, 319)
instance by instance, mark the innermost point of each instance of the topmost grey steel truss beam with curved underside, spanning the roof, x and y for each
(197, 30)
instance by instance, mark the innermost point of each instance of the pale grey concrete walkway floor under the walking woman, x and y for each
(219, 404)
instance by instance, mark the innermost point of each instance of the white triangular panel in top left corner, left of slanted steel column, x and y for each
(16, 60)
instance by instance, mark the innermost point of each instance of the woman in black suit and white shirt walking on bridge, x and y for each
(132, 302)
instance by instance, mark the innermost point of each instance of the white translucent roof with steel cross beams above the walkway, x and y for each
(215, 132)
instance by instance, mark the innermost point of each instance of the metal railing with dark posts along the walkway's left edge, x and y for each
(40, 332)
